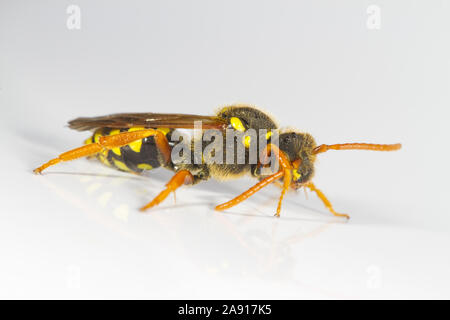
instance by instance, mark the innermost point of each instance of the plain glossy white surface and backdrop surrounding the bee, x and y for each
(75, 232)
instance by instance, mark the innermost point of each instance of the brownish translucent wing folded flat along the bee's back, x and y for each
(147, 120)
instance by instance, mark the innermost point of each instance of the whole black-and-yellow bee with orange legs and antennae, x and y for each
(142, 141)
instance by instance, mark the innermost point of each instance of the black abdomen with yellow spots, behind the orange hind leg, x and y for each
(135, 157)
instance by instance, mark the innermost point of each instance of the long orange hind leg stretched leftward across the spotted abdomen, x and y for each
(109, 142)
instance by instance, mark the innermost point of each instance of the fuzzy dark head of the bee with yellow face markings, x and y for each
(299, 148)
